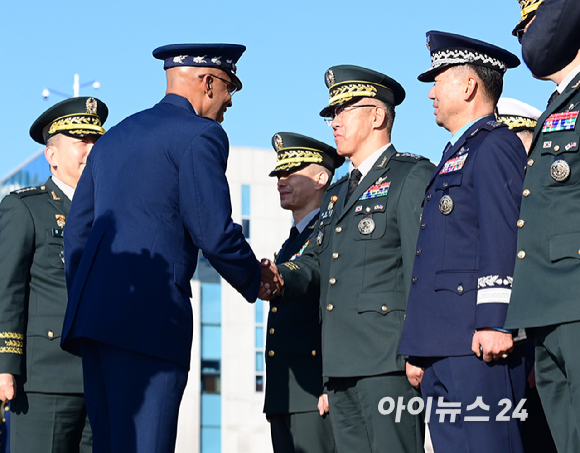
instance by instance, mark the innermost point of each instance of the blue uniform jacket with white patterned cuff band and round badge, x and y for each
(463, 270)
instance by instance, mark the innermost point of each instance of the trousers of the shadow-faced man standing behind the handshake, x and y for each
(303, 432)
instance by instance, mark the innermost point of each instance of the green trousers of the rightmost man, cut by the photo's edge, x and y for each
(558, 382)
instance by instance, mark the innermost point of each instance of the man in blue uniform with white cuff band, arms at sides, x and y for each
(463, 271)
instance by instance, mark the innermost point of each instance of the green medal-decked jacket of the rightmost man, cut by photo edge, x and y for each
(546, 287)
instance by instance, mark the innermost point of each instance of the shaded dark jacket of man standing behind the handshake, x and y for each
(293, 351)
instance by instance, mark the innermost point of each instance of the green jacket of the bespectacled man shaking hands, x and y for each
(361, 256)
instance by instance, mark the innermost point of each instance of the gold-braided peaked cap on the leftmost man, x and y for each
(75, 117)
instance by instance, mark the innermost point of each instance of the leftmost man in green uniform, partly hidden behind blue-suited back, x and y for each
(44, 383)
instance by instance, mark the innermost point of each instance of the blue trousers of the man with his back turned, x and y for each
(132, 399)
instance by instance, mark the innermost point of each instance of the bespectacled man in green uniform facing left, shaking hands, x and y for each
(360, 257)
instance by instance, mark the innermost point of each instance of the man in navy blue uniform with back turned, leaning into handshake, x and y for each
(153, 194)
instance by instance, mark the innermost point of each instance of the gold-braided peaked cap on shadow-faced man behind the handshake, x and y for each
(297, 151)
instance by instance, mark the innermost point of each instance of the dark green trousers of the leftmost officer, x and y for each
(49, 423)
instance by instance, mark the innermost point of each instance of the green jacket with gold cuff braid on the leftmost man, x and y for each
(33, 293)
